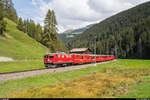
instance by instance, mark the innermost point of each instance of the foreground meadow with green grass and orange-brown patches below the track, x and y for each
(124, 78)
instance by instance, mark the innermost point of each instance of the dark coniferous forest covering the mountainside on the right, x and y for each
(125, 35)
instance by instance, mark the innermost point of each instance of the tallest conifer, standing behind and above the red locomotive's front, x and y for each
(50, 35)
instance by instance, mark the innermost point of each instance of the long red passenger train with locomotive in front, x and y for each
(53, 60)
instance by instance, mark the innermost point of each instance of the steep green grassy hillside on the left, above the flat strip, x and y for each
(19, 45)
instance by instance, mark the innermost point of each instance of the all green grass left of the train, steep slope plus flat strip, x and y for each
(26, 52)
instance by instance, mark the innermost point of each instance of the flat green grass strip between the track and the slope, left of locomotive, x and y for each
(20, 66)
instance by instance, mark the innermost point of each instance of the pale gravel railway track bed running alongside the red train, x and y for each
(28, 73)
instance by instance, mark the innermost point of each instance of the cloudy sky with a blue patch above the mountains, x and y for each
(72, 14)
